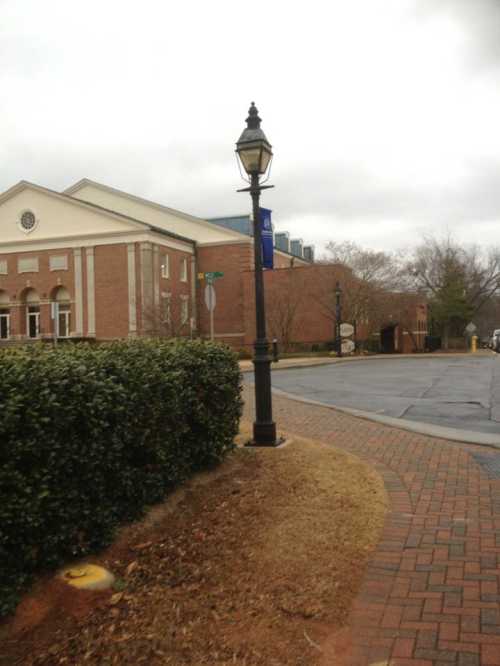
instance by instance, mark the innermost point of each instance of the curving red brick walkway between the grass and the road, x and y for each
(430, 596)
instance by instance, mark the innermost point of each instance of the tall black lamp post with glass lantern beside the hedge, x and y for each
(255, 153)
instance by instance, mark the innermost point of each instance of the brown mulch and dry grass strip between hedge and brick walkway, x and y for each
(255, 563)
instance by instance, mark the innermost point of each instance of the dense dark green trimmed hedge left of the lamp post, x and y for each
(89, 435)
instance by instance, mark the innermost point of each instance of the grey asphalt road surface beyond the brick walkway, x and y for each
(456, 392)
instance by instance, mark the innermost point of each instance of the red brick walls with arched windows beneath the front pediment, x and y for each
(109, 299)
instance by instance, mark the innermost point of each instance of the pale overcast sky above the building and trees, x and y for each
(384, 115)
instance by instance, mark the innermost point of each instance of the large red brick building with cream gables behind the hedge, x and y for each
(95, 263)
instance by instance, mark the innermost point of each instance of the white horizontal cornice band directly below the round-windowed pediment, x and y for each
(91, 240)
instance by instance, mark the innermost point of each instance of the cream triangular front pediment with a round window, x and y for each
(32, 213)
